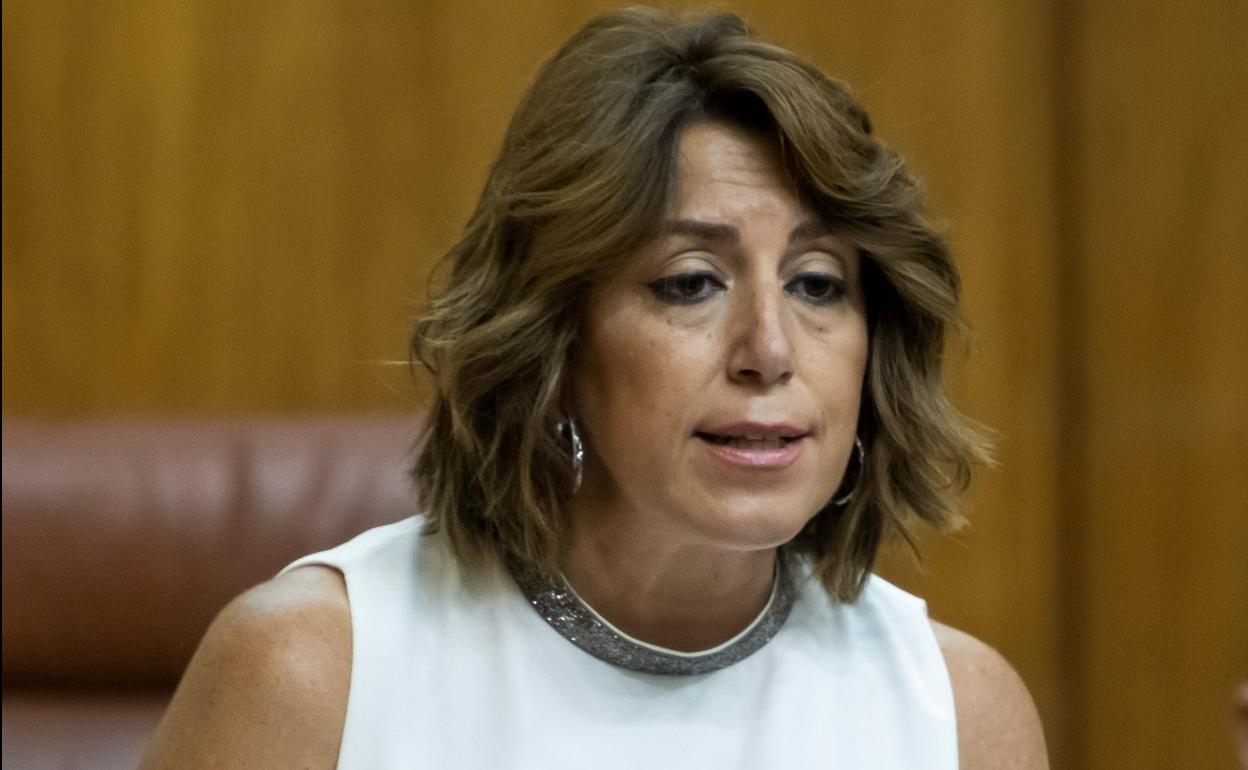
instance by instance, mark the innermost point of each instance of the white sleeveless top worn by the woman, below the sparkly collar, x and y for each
(459, 671)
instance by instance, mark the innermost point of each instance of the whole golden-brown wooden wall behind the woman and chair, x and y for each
(224, 209)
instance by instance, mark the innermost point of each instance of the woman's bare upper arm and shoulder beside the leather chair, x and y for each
(268, 687)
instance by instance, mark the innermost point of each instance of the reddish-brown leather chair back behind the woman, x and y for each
(124, 539)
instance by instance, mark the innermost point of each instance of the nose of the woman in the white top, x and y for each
(762, 351)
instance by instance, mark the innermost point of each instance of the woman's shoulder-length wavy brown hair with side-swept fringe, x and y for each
(581, 185)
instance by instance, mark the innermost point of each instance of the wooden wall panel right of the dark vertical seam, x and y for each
(1159, 400)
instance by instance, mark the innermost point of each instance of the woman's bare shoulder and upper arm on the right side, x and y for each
(998, 724)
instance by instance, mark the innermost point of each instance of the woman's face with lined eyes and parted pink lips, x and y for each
(721, 373)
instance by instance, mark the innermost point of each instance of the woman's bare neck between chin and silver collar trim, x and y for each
(673, 592)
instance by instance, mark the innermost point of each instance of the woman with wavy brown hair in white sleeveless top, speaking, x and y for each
(688, 379)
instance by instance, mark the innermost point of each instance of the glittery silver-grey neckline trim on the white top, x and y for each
(565, 611)
